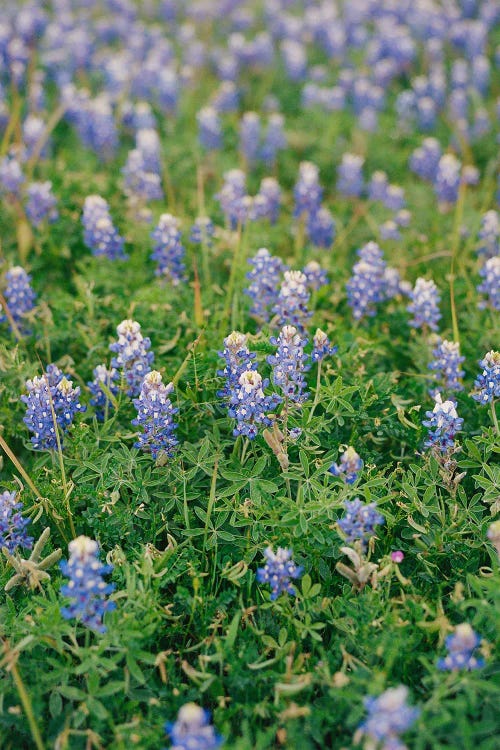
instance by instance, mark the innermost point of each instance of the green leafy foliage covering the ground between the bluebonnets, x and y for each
(186, 536)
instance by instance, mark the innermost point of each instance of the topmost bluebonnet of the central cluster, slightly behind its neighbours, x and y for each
(264, 282)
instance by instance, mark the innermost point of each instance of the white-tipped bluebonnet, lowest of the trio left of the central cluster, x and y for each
(155, 416)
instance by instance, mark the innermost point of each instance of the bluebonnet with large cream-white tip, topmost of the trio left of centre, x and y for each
(133, 357)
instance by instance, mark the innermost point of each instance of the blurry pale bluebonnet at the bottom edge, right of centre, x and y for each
(389, 715)
